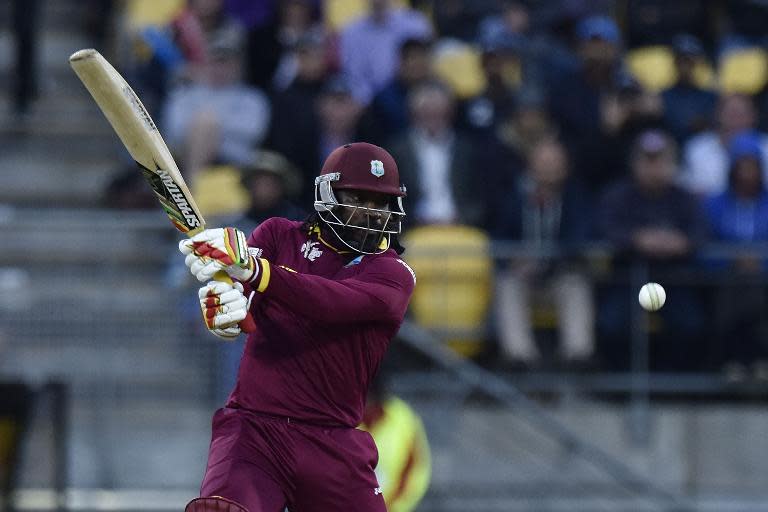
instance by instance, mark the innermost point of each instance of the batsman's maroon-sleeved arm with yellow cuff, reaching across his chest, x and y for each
(379, 294)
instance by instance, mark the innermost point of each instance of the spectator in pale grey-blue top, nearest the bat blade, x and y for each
(216, 119)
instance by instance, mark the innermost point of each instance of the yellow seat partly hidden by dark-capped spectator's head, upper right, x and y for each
(654, 68)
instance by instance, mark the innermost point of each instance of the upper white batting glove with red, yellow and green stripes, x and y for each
(218, 249)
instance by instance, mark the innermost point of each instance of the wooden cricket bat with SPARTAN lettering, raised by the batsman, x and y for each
(141, 138)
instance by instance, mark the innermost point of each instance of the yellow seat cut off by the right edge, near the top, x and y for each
(743, 71)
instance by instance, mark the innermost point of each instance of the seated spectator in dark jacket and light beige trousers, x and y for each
(547, 210)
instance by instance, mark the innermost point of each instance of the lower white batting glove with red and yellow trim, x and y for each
(223, 306)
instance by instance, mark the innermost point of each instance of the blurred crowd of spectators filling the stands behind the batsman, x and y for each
(558, 123)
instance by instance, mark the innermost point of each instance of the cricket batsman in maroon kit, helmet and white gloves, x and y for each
(327, 296)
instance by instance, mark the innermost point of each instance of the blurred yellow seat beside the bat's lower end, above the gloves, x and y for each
(217, 191)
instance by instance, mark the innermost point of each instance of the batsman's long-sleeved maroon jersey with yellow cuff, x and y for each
(325, 319)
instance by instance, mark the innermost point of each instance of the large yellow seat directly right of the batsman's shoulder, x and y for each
(453, 289)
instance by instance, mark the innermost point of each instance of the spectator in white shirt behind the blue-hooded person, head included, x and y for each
(705, 157)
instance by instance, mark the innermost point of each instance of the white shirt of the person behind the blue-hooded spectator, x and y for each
(706, 164)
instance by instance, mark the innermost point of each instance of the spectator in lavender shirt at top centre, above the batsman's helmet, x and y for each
(369, 46)
